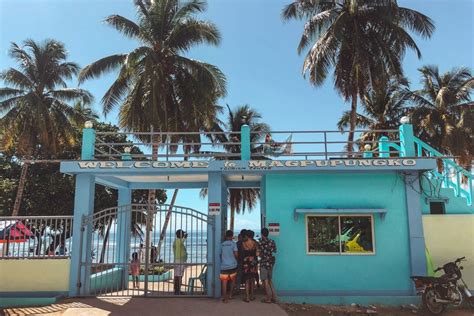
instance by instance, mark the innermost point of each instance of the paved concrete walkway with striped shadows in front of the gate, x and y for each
(152, 306)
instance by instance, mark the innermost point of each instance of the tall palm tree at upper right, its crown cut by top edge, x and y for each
(361, 40)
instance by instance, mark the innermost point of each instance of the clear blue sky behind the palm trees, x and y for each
(257, 54)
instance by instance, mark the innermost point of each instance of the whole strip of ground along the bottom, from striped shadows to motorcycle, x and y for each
(206, 306)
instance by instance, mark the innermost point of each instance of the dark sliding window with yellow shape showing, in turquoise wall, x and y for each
(340, 234)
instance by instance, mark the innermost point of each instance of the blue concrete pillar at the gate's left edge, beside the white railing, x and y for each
(81, 241)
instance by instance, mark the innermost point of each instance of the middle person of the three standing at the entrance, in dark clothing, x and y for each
(249, 265)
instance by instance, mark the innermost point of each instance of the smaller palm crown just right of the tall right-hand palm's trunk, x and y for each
(383, 105)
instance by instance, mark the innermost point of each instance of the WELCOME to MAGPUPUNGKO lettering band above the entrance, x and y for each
(248, 165)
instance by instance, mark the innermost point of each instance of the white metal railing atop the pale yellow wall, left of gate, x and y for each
(35, 237)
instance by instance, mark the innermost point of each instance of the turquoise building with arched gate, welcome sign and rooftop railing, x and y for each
(348, 228)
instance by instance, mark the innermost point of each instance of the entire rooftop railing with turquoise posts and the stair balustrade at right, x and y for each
(285, 145)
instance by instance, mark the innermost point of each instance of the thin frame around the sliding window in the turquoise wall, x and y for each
(340, 253)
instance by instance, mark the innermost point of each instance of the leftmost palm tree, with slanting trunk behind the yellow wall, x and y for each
(37, 116)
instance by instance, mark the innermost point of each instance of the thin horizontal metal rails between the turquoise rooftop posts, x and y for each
(228, 145)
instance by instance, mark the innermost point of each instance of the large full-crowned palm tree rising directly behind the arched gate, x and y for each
(158, 87)
